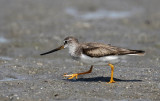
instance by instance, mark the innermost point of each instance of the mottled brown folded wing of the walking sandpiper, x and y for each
(100, 50)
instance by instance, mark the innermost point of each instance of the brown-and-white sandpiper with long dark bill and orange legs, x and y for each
(94, 54)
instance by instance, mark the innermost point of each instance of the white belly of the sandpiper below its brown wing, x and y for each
(98, 61)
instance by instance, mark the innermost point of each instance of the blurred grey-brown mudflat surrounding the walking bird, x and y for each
(31, 27)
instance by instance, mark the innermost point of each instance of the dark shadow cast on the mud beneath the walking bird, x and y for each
(101, 78)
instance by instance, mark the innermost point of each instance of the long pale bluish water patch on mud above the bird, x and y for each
(100, 14)
